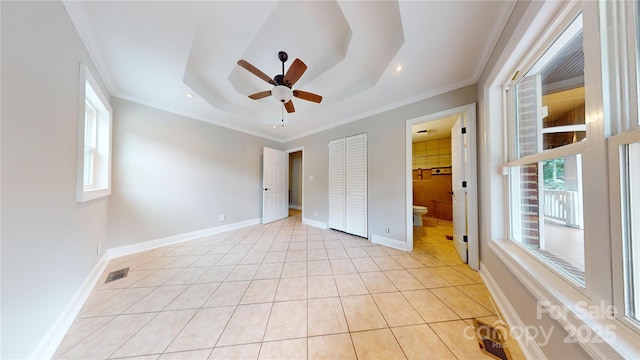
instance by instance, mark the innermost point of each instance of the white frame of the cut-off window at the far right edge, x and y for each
(621, 71)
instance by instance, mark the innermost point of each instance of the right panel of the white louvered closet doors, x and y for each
(356, 185)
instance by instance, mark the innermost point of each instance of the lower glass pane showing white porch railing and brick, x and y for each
(546, 212)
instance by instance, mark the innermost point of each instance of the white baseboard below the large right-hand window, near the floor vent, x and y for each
(528, 345)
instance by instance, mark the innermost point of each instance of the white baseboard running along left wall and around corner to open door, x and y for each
(53, 338)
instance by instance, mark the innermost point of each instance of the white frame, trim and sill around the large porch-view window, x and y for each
(543, 22)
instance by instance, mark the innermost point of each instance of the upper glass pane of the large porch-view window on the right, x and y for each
(550, 109)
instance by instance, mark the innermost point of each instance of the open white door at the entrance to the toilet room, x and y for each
(458, 174)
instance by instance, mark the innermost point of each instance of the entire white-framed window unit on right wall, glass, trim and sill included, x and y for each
(592, 155)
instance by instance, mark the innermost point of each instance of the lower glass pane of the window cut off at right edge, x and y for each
(632, 238)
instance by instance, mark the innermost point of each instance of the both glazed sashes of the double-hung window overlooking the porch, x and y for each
(548, 126)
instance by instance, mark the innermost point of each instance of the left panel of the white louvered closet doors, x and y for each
(337, 214)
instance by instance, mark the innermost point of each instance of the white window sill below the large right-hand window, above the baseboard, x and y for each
(598, 333)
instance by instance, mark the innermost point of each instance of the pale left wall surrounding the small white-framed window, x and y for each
(48, 240)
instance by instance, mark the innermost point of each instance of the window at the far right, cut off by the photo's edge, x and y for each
(624, 156)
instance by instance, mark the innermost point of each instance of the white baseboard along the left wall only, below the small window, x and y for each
(52, 339)
